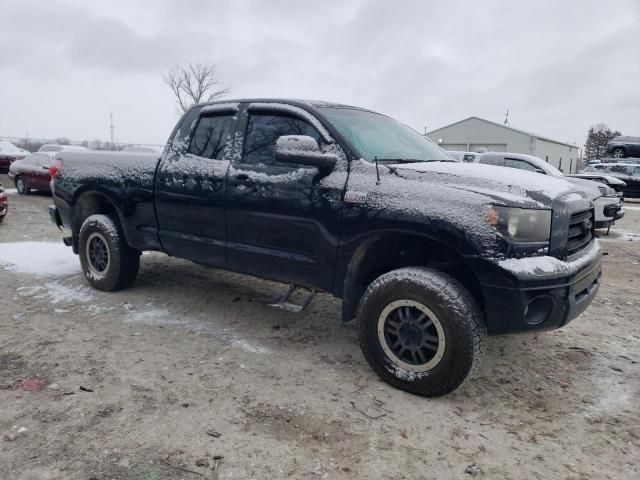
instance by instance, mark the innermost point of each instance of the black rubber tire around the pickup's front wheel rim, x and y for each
(457, 312)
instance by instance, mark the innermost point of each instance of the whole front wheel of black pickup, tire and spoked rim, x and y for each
(426, 291)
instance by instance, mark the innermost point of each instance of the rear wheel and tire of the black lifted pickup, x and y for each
(107, 261)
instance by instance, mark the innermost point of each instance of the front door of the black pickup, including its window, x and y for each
(282, 220)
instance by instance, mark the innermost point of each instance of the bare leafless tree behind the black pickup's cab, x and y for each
(194, 83)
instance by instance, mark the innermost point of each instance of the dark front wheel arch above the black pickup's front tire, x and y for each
(385, 251)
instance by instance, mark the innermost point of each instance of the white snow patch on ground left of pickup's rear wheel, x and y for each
(39, 258)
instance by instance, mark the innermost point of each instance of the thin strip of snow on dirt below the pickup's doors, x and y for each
(160, 316)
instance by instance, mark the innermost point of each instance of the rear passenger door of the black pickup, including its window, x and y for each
(190, 187)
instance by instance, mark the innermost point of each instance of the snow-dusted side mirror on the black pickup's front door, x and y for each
(303, 150)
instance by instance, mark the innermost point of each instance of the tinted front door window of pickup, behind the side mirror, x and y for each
(264, 130)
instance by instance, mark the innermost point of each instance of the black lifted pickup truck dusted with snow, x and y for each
(428, 254)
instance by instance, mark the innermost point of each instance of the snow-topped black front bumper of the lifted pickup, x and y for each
(537, 293)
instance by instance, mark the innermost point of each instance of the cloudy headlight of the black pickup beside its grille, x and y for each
(521, 224)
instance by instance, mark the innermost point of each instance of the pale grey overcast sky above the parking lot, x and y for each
(559, 66)
